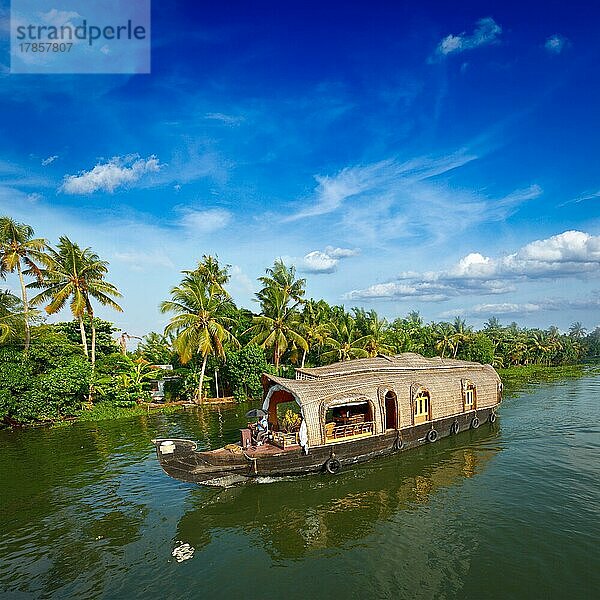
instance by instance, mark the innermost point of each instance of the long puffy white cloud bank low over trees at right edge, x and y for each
(568, 254)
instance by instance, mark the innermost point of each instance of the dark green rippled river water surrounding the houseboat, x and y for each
(509, 511)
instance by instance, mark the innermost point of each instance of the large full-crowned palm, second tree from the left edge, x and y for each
(75, 274)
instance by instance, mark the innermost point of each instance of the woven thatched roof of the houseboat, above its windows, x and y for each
(356, 376)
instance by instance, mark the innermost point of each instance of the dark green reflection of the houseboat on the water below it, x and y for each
(291, 517)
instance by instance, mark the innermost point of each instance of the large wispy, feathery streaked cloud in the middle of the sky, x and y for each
(388, 200)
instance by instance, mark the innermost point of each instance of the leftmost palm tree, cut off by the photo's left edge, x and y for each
(17, 246)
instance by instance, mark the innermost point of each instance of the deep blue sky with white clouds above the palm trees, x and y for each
(403, 156)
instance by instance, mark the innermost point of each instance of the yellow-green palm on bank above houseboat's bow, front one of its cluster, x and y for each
(200, 324)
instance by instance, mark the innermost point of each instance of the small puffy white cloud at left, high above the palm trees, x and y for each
(108, 176)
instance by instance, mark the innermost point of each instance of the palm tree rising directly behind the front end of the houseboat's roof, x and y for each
(279, 325)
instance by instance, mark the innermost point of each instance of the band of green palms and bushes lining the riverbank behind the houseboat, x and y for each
(211, 347)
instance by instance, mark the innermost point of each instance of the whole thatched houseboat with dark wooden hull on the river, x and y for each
(346, 413)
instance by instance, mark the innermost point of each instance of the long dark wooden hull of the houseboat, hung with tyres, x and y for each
(231, 464)
